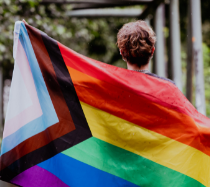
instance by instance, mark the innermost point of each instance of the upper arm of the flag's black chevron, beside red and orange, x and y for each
(65, 82)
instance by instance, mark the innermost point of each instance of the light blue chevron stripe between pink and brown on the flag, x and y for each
(49, 116)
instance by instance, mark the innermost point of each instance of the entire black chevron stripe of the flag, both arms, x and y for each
(81, 133)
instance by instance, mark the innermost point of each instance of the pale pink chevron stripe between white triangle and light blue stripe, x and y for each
(32, 112)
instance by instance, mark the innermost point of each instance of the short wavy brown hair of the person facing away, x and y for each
(136, 40)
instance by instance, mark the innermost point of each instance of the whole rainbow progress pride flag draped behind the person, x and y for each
(74, 121)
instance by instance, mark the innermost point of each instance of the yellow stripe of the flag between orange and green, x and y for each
(149, 144)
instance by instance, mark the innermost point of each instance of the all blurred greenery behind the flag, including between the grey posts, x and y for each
(95, 38)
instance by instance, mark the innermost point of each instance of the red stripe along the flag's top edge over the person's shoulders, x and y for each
(156, 90)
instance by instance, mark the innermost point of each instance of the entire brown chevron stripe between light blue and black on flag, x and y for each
(65, 124)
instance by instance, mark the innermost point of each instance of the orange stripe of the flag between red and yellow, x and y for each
(140, 111)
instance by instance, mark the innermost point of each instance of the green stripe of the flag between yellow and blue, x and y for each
(127, 165)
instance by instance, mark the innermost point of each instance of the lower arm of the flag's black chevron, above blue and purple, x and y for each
(44, 153)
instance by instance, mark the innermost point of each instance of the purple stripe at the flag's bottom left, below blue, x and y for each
(37, 176)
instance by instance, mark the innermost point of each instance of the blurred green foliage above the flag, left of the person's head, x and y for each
(95, 38)
